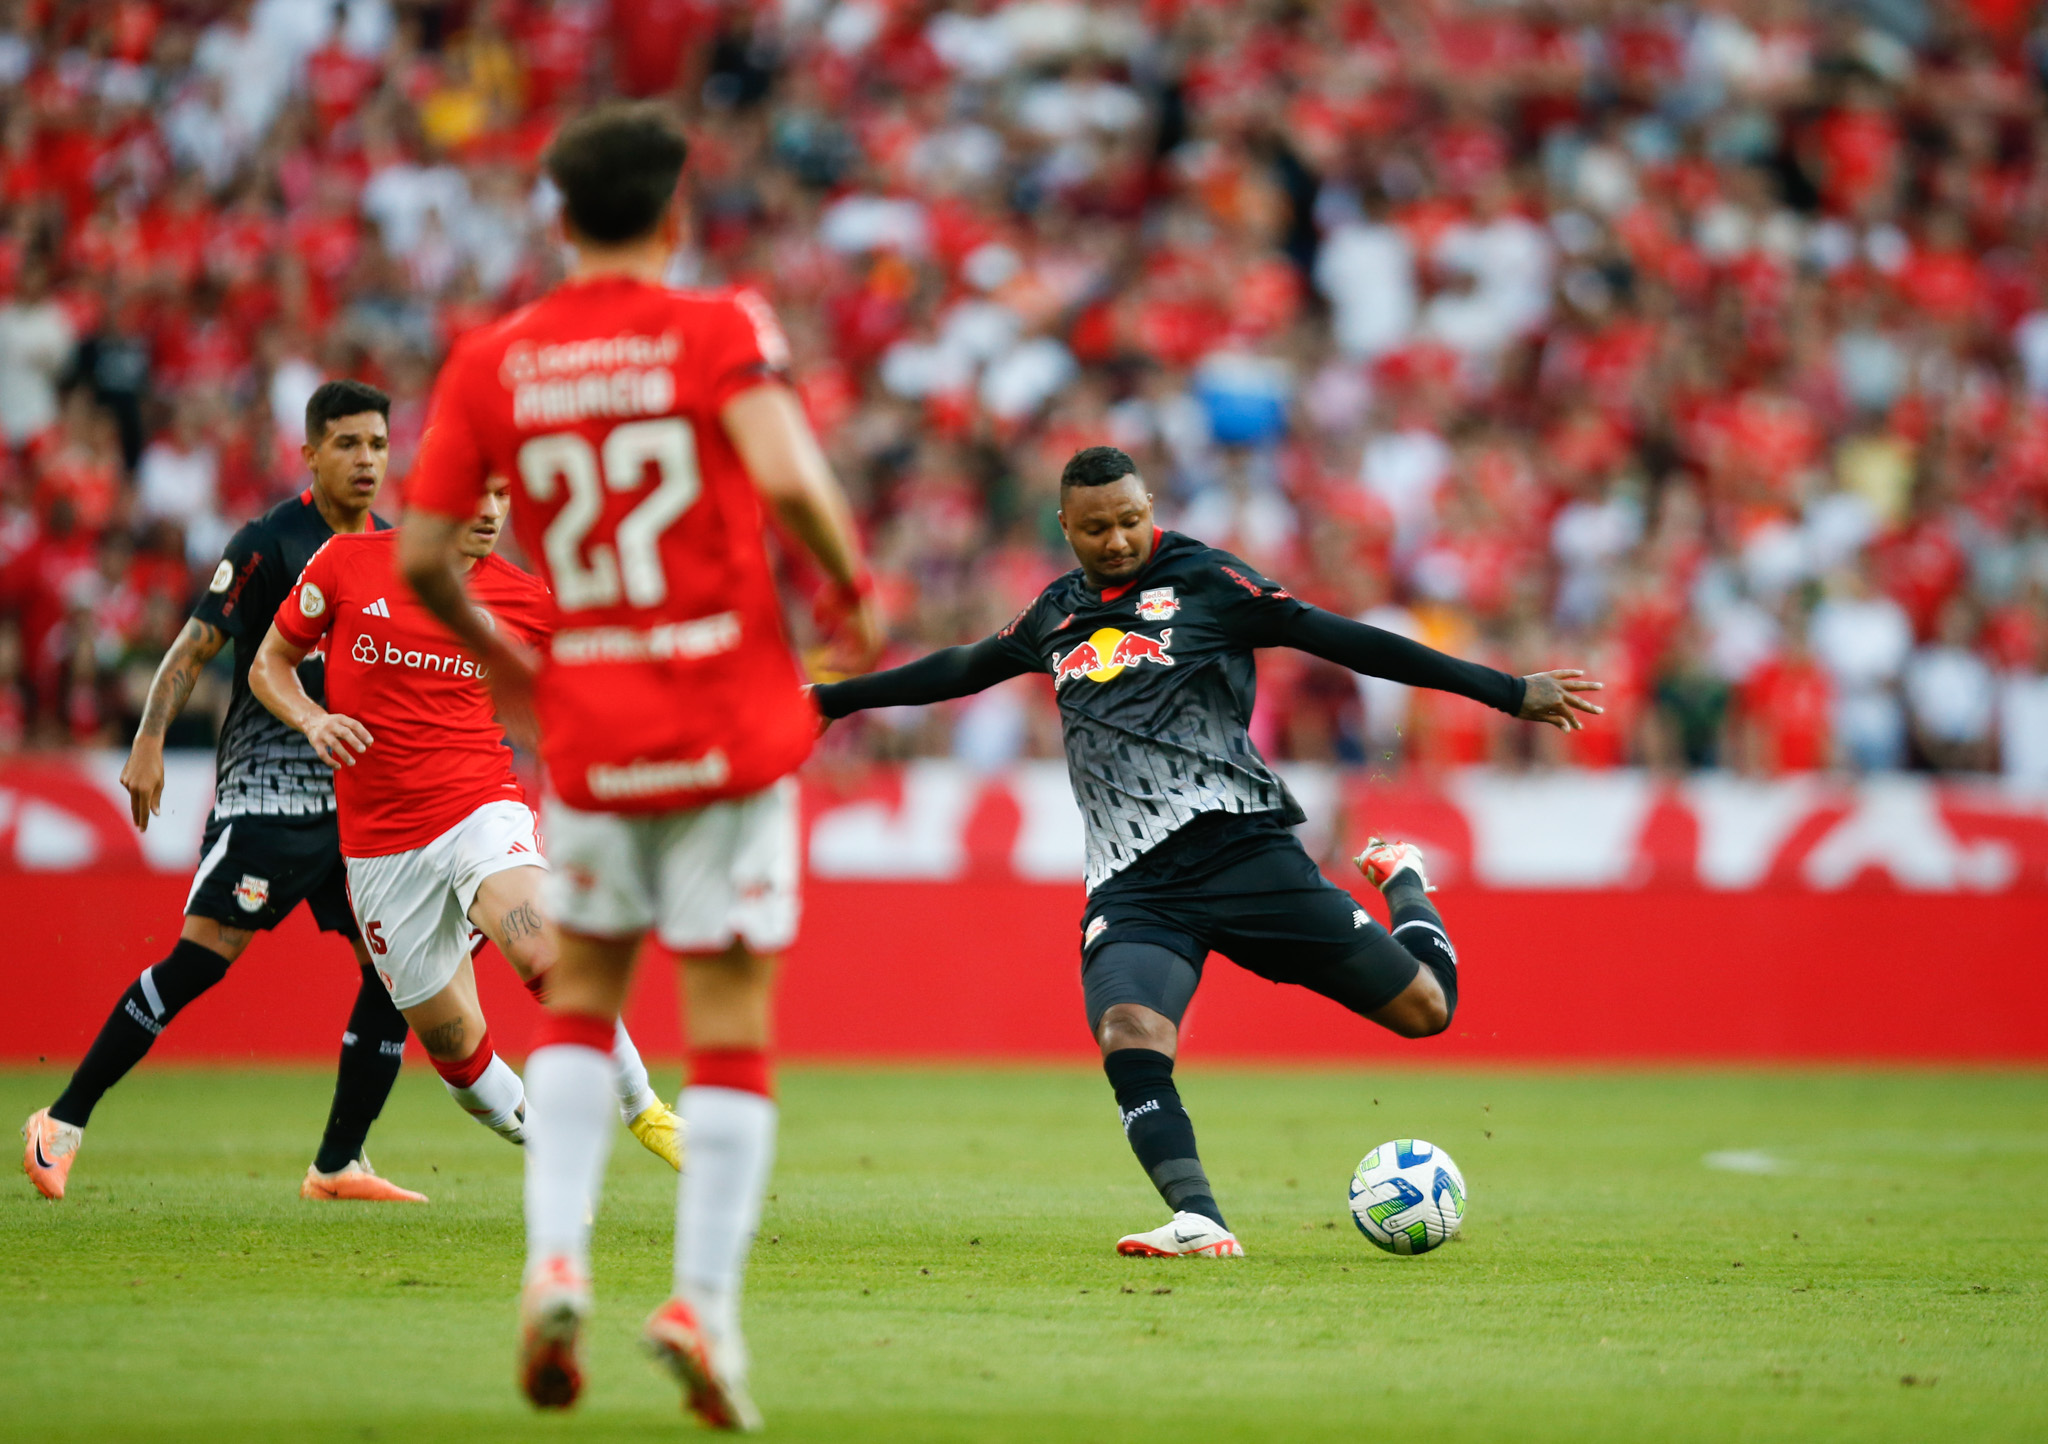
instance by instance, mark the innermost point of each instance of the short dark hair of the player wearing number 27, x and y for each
(617, 169)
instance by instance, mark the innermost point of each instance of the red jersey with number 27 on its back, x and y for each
(671, 681)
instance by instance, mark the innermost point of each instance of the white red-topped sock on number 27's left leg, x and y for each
(568, 1134)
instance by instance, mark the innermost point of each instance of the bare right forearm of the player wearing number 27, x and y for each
(790, 470)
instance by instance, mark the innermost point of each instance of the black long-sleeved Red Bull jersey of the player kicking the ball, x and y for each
(1156, 685)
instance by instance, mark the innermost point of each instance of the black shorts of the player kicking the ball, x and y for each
(1242, 888)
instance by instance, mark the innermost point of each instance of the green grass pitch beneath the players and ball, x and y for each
(937, 1265)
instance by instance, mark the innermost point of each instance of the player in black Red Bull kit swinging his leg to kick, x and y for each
(1189, 849)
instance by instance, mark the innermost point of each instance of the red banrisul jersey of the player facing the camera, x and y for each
(437, 751)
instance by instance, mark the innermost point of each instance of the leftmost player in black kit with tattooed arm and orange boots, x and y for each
(271, 841)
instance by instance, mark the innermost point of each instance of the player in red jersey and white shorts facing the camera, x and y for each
(437, 835)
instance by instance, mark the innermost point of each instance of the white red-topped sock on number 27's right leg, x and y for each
(732, 1117)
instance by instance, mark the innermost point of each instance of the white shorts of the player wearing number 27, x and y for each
(699, 880)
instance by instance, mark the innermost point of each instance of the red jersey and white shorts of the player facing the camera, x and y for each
(431, 808)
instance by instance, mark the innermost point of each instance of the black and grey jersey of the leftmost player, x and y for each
(263, 767)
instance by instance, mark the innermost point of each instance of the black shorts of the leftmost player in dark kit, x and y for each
(253, 872)
